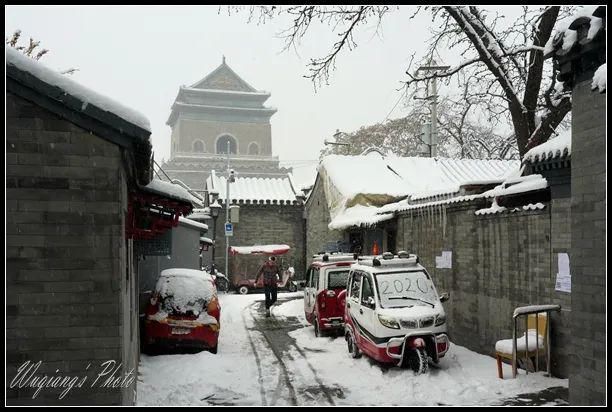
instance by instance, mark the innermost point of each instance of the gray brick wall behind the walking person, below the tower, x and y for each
(261, 225)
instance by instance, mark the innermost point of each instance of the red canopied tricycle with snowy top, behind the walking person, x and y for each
(245, 262)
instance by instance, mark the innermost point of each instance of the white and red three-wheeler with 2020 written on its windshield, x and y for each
(393, 312)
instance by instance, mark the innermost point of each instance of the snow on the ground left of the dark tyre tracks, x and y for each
(187, 379)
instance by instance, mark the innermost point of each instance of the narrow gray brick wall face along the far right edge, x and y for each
(587, 384)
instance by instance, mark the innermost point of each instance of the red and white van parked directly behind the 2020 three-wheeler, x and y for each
(326, 278)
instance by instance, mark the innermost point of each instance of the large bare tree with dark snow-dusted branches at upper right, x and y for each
(506, 65)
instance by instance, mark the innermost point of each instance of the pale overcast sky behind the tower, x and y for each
(140, 55)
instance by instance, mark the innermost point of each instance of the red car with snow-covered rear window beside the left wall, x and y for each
(184, 311)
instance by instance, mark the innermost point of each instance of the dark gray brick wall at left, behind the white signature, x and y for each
(65, 272)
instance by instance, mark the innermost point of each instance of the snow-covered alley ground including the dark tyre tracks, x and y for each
(278, 361)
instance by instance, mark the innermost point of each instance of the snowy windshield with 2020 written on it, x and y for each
(401, 289)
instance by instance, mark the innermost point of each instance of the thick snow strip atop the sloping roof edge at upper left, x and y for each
(72, 88)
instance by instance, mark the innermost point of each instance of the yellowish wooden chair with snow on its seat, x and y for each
(529, 346)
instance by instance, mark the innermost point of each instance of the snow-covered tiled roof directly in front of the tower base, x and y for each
(255, 189)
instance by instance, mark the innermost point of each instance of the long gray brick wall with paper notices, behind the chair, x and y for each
(499, 262)
